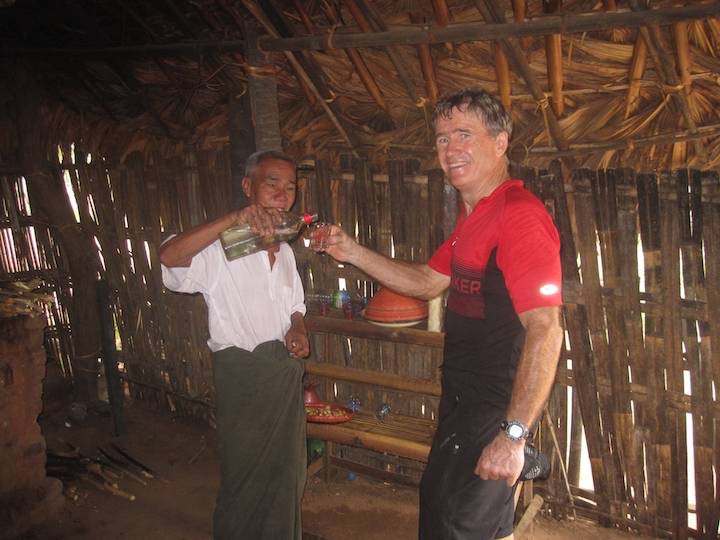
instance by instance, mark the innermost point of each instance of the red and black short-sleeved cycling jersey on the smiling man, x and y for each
(502, 259)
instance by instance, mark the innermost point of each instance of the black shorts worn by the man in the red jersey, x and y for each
(455, 504)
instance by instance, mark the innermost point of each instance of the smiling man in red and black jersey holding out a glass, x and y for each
(502, 324)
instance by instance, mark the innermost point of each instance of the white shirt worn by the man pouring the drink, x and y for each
(248, 302)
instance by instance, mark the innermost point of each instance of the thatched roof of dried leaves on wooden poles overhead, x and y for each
(163, 72)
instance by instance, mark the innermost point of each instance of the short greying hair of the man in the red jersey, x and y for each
(476, 100)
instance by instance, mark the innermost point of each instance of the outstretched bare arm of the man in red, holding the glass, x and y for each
(411, 279)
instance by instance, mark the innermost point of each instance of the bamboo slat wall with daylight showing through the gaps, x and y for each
(639, 373)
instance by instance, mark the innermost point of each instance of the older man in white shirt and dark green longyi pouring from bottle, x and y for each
(256, 318)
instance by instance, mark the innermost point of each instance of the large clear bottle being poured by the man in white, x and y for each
(241, 240)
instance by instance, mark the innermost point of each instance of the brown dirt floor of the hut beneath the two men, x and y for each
(178, 503)
